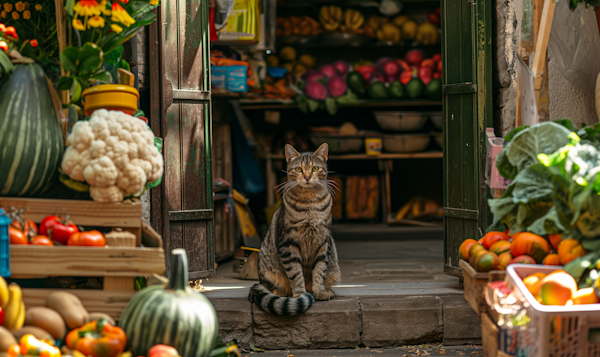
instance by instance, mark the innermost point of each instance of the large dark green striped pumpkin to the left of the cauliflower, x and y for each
(31, 142)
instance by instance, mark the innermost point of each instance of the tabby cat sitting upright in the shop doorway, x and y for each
(298, 261)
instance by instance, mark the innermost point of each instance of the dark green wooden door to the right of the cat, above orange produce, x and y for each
(467, 106)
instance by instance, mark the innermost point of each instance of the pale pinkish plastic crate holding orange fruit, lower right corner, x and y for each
(554, 331)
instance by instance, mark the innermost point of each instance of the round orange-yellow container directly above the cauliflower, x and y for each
(110, 97)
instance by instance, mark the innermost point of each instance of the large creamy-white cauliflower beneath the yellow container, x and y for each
(114, 153)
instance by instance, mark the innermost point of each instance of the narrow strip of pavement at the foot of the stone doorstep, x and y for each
(405, 351)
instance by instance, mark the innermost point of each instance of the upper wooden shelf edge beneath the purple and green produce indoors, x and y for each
(249, 104)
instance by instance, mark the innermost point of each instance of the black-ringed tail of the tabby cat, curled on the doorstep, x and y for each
(276, 305)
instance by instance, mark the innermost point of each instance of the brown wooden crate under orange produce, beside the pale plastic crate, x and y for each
(474, 284)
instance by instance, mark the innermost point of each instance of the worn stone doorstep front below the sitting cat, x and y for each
(347, 322)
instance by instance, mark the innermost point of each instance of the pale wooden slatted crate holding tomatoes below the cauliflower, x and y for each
(117, 265)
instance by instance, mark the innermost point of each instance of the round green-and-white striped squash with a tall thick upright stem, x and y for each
(174, 315)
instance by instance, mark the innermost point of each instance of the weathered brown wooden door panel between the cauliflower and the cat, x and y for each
(182, 207)
